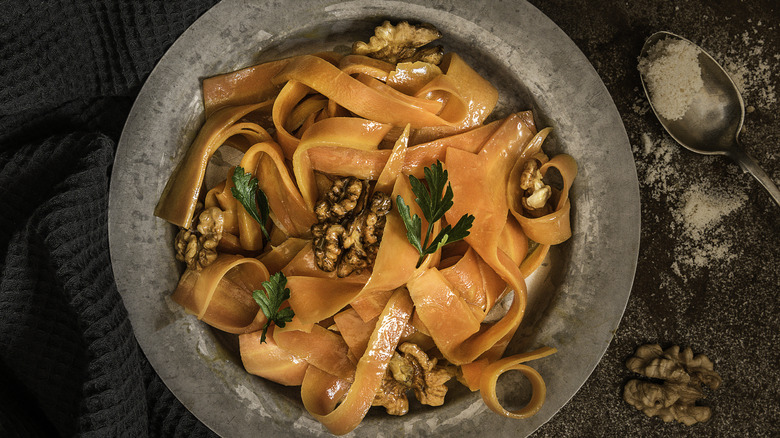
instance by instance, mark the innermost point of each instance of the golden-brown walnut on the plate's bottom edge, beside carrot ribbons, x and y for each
(412, 369)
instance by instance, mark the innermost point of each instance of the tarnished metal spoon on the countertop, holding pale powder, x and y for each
(712, 123)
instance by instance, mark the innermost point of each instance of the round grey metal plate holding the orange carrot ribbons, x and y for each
(576, 303)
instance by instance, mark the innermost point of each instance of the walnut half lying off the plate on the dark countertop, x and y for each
(675, 398)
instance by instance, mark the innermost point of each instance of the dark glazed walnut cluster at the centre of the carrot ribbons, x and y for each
(349, 227)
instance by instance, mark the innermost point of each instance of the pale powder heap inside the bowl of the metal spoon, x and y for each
(673, 76)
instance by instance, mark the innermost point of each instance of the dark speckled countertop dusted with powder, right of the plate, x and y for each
(709, 261)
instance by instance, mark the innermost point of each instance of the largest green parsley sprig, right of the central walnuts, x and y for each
(433, 205)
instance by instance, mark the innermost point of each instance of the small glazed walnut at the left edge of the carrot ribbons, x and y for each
(198, 248)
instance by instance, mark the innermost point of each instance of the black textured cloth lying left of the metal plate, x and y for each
(69, 362)
